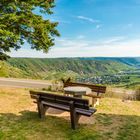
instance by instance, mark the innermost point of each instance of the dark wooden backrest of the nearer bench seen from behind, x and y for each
(59, 99)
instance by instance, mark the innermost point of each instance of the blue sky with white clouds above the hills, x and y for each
(93, 28)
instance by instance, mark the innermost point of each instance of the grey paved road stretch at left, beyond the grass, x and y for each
(21, 83)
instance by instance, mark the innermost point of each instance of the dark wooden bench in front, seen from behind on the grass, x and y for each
(75, 106)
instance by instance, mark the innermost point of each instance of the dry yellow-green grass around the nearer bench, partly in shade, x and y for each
(114, 120)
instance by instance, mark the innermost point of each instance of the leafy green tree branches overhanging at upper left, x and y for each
(18, 22)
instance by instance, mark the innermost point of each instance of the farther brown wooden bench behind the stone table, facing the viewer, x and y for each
(94, 89)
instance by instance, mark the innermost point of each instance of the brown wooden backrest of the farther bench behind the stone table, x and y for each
(94, 88)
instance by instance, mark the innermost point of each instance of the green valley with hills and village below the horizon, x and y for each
(121, 72)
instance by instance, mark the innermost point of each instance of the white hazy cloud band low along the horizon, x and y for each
(83, 48)
